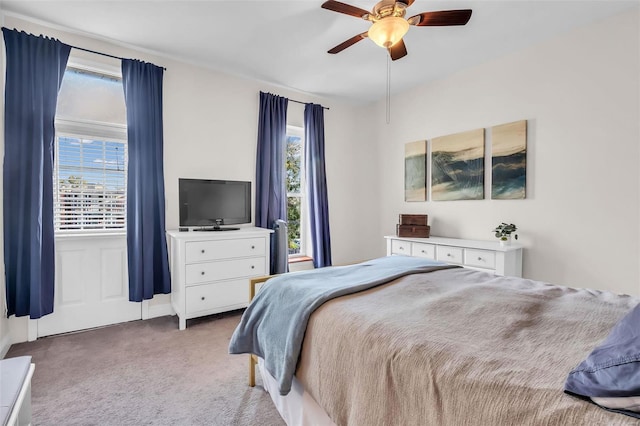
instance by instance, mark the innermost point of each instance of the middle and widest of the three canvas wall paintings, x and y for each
(457, 166)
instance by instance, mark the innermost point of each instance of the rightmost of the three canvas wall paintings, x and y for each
(509, 161)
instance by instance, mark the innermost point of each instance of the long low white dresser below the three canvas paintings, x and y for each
(487, 256)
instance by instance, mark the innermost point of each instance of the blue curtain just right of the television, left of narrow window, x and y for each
(271, 192)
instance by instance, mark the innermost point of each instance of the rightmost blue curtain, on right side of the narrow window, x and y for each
(317, 185)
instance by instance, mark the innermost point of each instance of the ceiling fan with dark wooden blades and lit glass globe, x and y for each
(389, 24)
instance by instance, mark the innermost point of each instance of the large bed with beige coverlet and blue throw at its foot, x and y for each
(440, 346)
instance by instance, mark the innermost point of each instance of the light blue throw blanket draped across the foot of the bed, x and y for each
(273, 326)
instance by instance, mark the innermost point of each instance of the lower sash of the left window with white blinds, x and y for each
(90, 184)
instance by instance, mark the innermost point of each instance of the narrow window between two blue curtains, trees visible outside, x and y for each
(295, 192)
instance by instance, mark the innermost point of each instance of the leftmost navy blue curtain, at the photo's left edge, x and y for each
(35, 66)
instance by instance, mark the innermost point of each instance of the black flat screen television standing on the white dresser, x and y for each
(210, 204)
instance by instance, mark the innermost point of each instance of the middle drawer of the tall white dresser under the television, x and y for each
(224, 270)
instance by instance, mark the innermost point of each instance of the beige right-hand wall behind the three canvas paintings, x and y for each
(579, 93)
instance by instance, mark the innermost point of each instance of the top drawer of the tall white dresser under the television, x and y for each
(202, 251)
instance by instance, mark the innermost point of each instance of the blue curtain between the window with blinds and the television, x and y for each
(146, 241)
